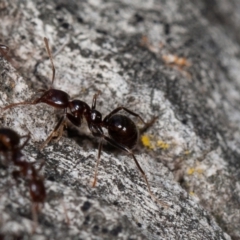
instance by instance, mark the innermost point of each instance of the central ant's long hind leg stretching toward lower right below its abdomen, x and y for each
(127, 150)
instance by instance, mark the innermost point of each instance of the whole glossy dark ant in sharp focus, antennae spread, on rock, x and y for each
(122, 131)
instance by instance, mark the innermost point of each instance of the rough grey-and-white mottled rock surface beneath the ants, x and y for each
(124, 50)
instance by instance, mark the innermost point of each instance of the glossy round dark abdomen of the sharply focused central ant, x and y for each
(123, 130)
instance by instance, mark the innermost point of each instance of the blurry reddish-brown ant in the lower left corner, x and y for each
(10, 147)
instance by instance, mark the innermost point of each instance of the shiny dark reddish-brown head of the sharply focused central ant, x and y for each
(55, 98)
